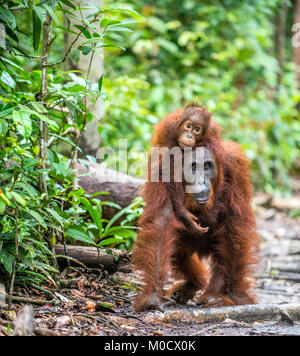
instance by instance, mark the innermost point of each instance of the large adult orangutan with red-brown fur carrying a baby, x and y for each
(217, 193)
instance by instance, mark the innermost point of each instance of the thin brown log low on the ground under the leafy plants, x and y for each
(94, 258)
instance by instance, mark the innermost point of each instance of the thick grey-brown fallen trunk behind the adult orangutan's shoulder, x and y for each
(122, 189)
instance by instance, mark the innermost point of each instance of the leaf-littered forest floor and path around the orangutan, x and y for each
(99, 304)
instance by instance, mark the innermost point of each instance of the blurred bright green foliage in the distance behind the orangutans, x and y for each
(221, 53)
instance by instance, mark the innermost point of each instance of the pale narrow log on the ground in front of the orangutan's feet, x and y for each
(239, 313)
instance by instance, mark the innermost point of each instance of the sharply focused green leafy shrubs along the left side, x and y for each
(40, 202)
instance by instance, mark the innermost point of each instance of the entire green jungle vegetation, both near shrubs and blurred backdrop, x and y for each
(76, 76)
